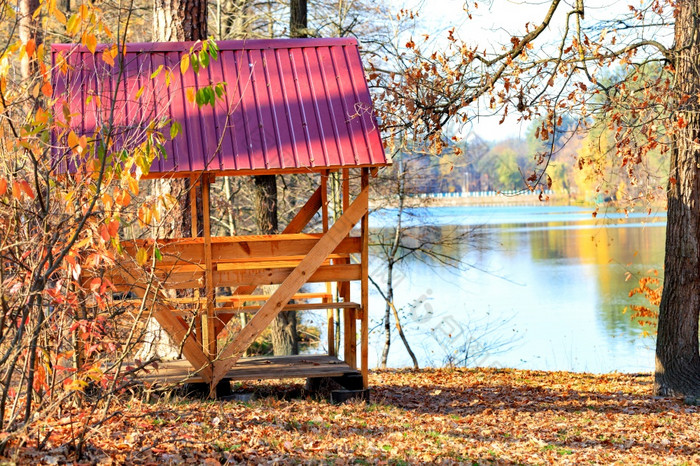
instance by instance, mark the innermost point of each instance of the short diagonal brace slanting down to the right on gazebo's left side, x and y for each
(177, 331)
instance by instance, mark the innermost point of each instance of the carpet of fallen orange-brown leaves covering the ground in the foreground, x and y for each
(437, 416)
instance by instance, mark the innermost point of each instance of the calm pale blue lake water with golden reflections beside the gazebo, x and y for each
(540, 288)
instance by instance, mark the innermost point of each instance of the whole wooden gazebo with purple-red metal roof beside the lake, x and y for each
(290, 106)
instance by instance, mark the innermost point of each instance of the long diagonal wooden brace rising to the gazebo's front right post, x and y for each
(291, 285)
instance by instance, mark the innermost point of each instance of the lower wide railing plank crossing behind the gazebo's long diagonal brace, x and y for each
(273, 276)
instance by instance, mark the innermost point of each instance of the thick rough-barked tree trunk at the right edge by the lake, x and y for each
(677, 358)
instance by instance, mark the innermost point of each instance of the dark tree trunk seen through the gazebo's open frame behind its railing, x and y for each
(283, 329)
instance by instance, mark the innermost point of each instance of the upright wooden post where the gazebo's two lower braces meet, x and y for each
(208, 317)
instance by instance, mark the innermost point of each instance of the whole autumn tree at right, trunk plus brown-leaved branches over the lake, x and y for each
(423, 89)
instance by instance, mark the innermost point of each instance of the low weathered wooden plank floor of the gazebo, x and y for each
(274, 367)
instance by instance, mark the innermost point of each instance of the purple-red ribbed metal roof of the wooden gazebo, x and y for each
(289, 105)
